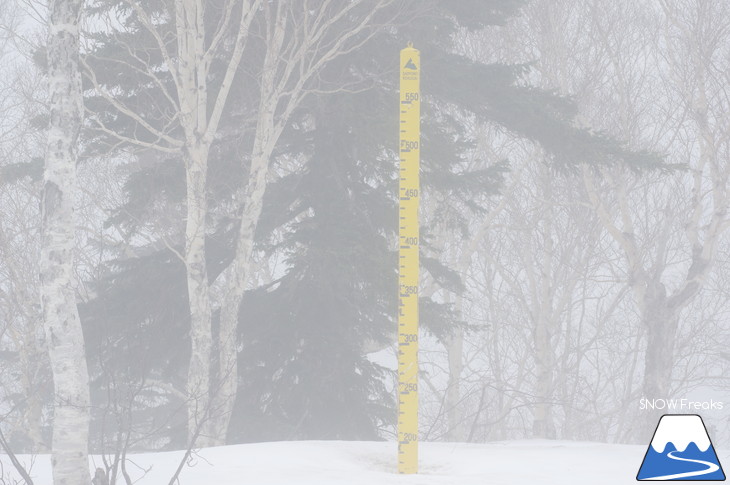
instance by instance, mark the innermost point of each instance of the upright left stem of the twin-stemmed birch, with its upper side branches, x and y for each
(190, 71)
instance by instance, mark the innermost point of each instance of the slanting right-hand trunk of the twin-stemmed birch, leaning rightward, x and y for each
(286, 70)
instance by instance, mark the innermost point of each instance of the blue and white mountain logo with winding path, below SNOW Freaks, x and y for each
(681, 450)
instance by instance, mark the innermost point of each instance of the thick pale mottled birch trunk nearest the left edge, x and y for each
(62, 326)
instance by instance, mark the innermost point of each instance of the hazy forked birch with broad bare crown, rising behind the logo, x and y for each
(650, 73)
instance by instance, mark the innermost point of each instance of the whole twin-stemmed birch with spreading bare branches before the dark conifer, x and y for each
(297, 39)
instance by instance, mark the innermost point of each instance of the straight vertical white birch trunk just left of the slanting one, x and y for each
(200, 125)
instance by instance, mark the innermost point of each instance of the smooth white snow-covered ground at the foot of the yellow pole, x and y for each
(373, 463)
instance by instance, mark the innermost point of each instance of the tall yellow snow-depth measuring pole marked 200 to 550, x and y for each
(410, 140)
